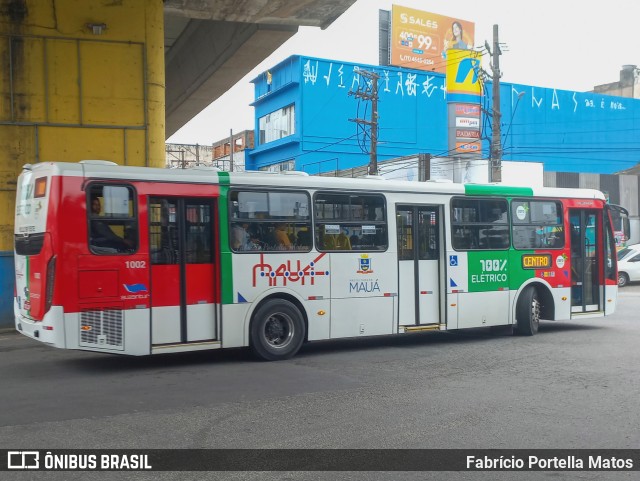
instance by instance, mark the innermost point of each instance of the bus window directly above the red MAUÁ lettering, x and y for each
(269, 221)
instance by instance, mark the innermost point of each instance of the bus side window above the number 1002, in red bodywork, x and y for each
(113, 227)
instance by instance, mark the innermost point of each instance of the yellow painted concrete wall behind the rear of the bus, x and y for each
(68, 95)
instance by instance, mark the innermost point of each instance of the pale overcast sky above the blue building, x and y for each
(563, 44)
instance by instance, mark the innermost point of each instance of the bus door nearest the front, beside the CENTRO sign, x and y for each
(585, 285)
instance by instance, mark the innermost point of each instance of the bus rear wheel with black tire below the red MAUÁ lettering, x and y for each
(277, 330)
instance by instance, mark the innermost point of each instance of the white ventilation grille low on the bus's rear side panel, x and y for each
(101, 328)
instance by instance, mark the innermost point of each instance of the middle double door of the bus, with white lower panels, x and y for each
(419, 235)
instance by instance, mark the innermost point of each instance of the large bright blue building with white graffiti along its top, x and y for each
(304, 111)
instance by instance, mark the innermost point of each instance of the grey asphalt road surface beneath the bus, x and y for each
(574, 385)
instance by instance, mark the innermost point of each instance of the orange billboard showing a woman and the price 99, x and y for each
(419, 39)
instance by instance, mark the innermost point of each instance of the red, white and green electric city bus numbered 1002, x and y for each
(142, 261)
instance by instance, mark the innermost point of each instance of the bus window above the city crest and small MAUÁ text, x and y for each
(350, 222)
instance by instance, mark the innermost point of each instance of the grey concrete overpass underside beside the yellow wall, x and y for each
(211, 44)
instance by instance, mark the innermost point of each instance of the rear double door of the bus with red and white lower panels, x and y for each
(183, 276)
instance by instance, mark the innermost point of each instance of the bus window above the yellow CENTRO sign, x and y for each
(537, 224)
